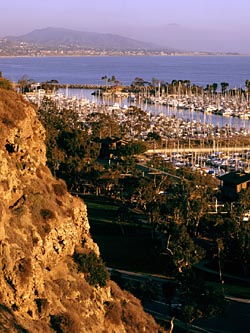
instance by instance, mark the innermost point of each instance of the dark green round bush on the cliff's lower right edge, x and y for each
(93, 267)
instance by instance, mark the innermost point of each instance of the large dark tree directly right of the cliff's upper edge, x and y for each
(68, 142)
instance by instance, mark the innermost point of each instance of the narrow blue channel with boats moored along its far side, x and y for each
(186, 108)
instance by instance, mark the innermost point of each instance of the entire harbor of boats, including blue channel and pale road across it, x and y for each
(188, 137)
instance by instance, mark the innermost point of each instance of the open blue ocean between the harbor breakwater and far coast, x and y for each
(200, 70)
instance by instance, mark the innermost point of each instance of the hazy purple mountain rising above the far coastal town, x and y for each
(59, 37)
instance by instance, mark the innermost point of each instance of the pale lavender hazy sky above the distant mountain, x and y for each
(209, 25)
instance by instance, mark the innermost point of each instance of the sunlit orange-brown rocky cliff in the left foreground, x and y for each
(41, 228)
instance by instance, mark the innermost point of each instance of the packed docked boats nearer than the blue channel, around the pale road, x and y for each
(168, 128)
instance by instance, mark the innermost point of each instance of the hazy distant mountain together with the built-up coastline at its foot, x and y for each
(61, 41)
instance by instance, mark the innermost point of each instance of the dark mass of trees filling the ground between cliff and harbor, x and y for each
(178, 204)
